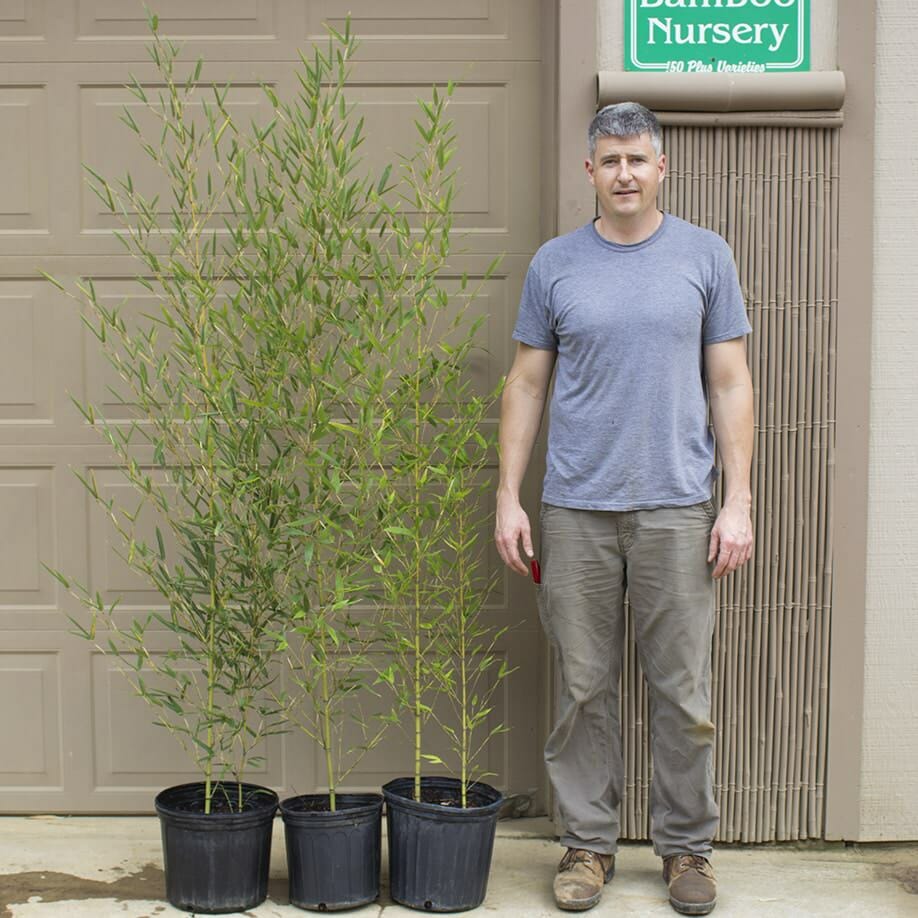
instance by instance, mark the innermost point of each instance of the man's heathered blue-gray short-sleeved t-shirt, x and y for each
(628, 425)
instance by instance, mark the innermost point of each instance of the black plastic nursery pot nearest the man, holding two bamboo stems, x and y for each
(440, 854)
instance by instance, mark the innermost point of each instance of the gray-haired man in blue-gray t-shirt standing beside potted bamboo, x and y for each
(641, 316)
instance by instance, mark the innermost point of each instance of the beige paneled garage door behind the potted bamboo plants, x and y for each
(73, 737)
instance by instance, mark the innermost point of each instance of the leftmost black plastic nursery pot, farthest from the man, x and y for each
(218, 862)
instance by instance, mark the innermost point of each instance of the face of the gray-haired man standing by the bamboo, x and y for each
(626, 173)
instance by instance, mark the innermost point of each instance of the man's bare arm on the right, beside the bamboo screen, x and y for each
(730, 392)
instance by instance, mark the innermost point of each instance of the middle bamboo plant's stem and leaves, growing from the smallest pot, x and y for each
(341, 280)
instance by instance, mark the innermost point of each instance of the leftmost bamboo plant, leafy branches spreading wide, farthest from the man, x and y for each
(206, 389)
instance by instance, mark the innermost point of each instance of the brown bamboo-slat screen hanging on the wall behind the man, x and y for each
(772, 192)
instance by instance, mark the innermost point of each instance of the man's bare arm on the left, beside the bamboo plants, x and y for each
(522, 406)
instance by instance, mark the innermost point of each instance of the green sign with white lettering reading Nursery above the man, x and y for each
(717, 36)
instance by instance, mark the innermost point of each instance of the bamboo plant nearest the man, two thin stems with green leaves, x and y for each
(427, 564)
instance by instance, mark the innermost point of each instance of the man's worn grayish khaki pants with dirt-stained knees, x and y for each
(589, 558)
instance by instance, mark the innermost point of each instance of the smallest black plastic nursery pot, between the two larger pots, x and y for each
(333, 857)
